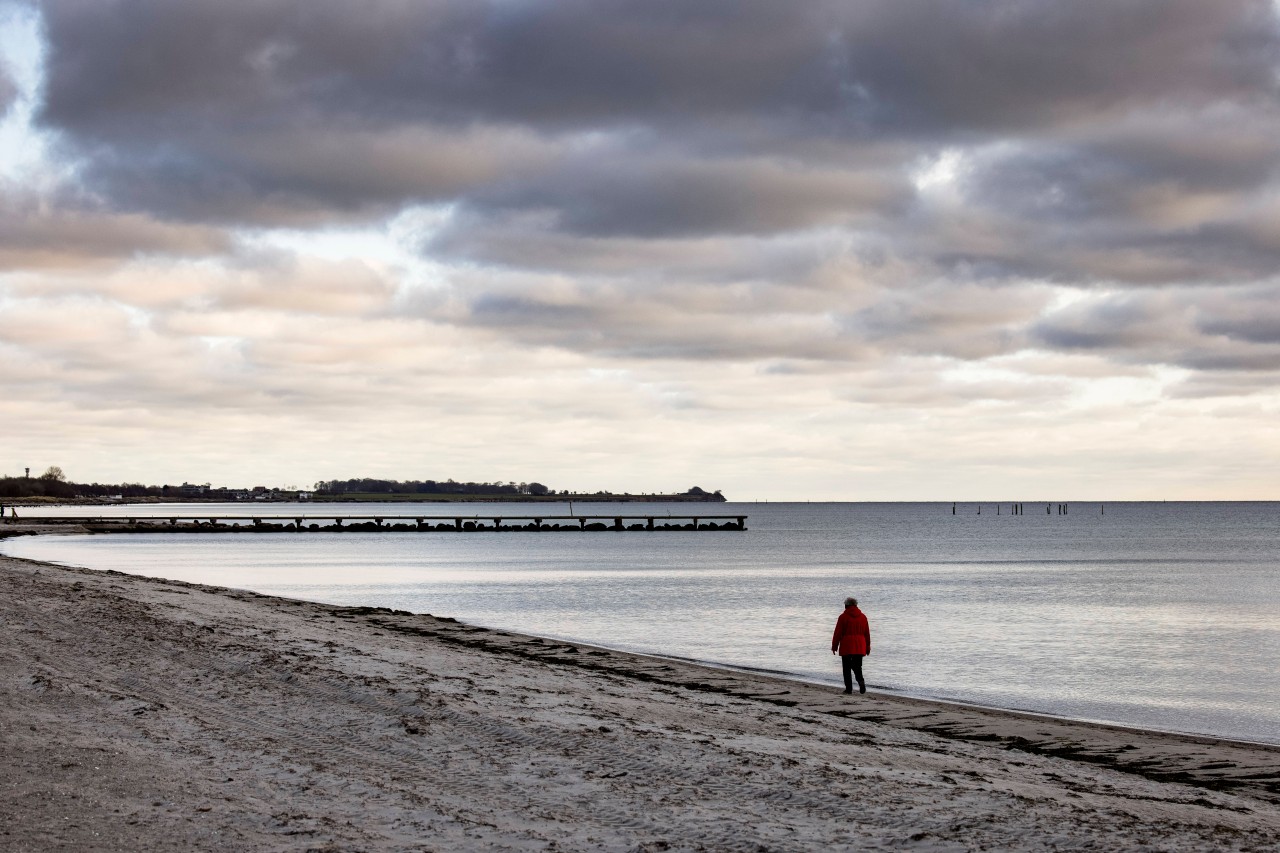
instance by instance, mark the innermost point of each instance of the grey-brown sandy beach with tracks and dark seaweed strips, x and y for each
(152, 715)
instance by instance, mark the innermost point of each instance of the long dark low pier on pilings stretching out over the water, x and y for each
(323, 522)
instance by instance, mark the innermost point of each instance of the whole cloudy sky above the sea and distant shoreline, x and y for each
(830, 249)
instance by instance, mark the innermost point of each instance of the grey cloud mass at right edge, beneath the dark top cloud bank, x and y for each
(1168, 195)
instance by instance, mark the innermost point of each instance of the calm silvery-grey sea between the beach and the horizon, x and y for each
(1156, 615)
